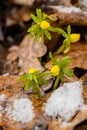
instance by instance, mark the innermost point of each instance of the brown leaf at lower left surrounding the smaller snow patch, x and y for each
(10, 86)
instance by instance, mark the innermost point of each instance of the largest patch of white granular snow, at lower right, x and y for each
(65, 101)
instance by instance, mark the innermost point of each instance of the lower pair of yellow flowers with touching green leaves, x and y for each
(35, 78)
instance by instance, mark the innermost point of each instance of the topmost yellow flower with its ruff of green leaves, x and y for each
(41, 27)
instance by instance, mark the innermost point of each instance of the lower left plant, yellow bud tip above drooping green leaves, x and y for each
(34, 79)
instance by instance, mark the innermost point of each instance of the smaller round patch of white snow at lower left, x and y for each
(20, 110)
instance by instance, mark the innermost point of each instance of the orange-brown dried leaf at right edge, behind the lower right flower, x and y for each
(78, 56)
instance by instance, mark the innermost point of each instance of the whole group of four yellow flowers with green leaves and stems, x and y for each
(42, 28)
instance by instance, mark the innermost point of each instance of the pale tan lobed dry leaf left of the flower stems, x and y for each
(29, 53)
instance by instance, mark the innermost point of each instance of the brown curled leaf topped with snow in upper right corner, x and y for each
(70, 15)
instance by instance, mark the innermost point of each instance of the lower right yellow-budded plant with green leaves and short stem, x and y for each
(59, 69)
